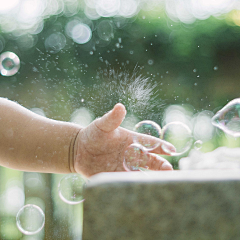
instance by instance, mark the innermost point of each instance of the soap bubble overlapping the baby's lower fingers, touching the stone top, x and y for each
(135, 158)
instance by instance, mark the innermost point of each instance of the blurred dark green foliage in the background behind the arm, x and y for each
(192, 64)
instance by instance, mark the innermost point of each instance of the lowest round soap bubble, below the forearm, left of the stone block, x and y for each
(30, 219)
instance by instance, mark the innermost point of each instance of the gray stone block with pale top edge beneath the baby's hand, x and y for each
(181, 205)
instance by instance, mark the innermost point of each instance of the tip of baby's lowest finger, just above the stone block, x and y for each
(158, 163)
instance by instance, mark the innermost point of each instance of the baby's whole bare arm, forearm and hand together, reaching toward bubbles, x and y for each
(33, 143)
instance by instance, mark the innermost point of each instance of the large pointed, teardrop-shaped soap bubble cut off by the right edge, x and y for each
(228, 118)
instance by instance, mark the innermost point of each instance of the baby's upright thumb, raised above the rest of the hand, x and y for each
(111, 120)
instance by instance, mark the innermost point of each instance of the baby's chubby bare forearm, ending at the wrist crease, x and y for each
(30, 142)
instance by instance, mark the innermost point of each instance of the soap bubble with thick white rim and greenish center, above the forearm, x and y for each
(9, 64)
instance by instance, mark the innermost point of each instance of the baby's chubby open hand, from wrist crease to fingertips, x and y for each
(100, 146)
